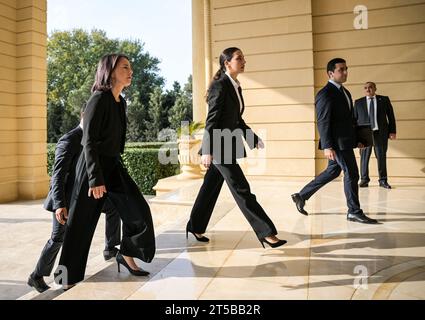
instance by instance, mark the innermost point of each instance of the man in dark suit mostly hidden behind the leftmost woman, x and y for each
(67, 152)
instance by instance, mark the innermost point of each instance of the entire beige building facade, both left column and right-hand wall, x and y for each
(287, 44)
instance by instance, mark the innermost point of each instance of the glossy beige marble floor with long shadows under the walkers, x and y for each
(326, 257)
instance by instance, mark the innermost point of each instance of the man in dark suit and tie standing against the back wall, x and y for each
(376, 111)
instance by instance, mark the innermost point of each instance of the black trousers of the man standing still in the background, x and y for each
(380, 148)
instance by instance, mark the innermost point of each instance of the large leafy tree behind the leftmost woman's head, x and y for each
(72, 58)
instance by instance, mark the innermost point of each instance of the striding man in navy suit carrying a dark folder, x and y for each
(336, 126)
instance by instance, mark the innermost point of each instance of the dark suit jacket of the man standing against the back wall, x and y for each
(384, 116)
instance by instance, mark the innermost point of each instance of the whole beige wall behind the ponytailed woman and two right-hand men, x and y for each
(287, 45)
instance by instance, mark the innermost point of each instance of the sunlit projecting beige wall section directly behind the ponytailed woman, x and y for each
(276, 38)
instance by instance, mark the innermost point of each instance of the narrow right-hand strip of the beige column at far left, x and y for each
(31, 99)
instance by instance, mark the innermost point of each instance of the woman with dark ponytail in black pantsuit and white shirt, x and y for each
(221, 145)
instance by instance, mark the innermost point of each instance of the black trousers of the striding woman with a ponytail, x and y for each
(239, 187)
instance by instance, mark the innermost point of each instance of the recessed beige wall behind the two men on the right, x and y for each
(391, 52)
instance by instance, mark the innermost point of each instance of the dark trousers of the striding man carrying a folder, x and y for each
(345, 161)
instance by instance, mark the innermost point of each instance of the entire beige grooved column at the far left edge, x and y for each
(23, 84)
